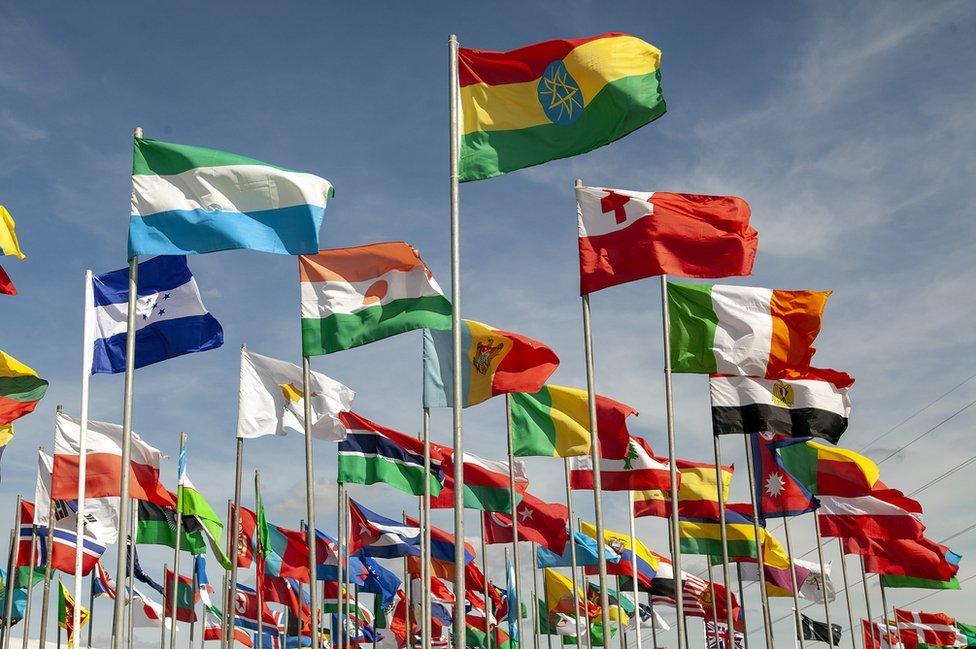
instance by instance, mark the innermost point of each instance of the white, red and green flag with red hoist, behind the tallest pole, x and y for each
(486, 484)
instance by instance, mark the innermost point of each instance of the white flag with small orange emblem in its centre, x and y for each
(272, 400)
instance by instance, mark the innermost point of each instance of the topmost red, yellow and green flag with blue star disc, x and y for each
(553, 100)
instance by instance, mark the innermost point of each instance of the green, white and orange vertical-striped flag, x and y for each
(743, 330)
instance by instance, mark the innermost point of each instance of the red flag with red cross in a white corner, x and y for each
(628, 235)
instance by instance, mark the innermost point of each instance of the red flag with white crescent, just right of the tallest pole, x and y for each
(538, 521)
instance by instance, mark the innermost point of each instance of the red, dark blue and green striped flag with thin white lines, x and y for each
(371, 453)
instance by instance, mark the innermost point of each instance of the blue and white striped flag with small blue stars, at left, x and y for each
(170, 317)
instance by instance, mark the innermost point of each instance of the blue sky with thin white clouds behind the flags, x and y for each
(847, 126)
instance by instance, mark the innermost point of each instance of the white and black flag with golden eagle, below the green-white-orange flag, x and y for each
(794, 408)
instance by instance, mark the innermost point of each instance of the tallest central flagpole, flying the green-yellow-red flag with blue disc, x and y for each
(454, 91)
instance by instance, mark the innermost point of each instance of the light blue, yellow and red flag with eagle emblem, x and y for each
(493, 362)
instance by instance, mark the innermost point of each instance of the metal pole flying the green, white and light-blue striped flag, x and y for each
(130, 360)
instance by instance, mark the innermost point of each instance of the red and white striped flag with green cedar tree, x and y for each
(637, 470)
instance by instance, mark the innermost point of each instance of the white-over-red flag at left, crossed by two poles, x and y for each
(104, 463)
